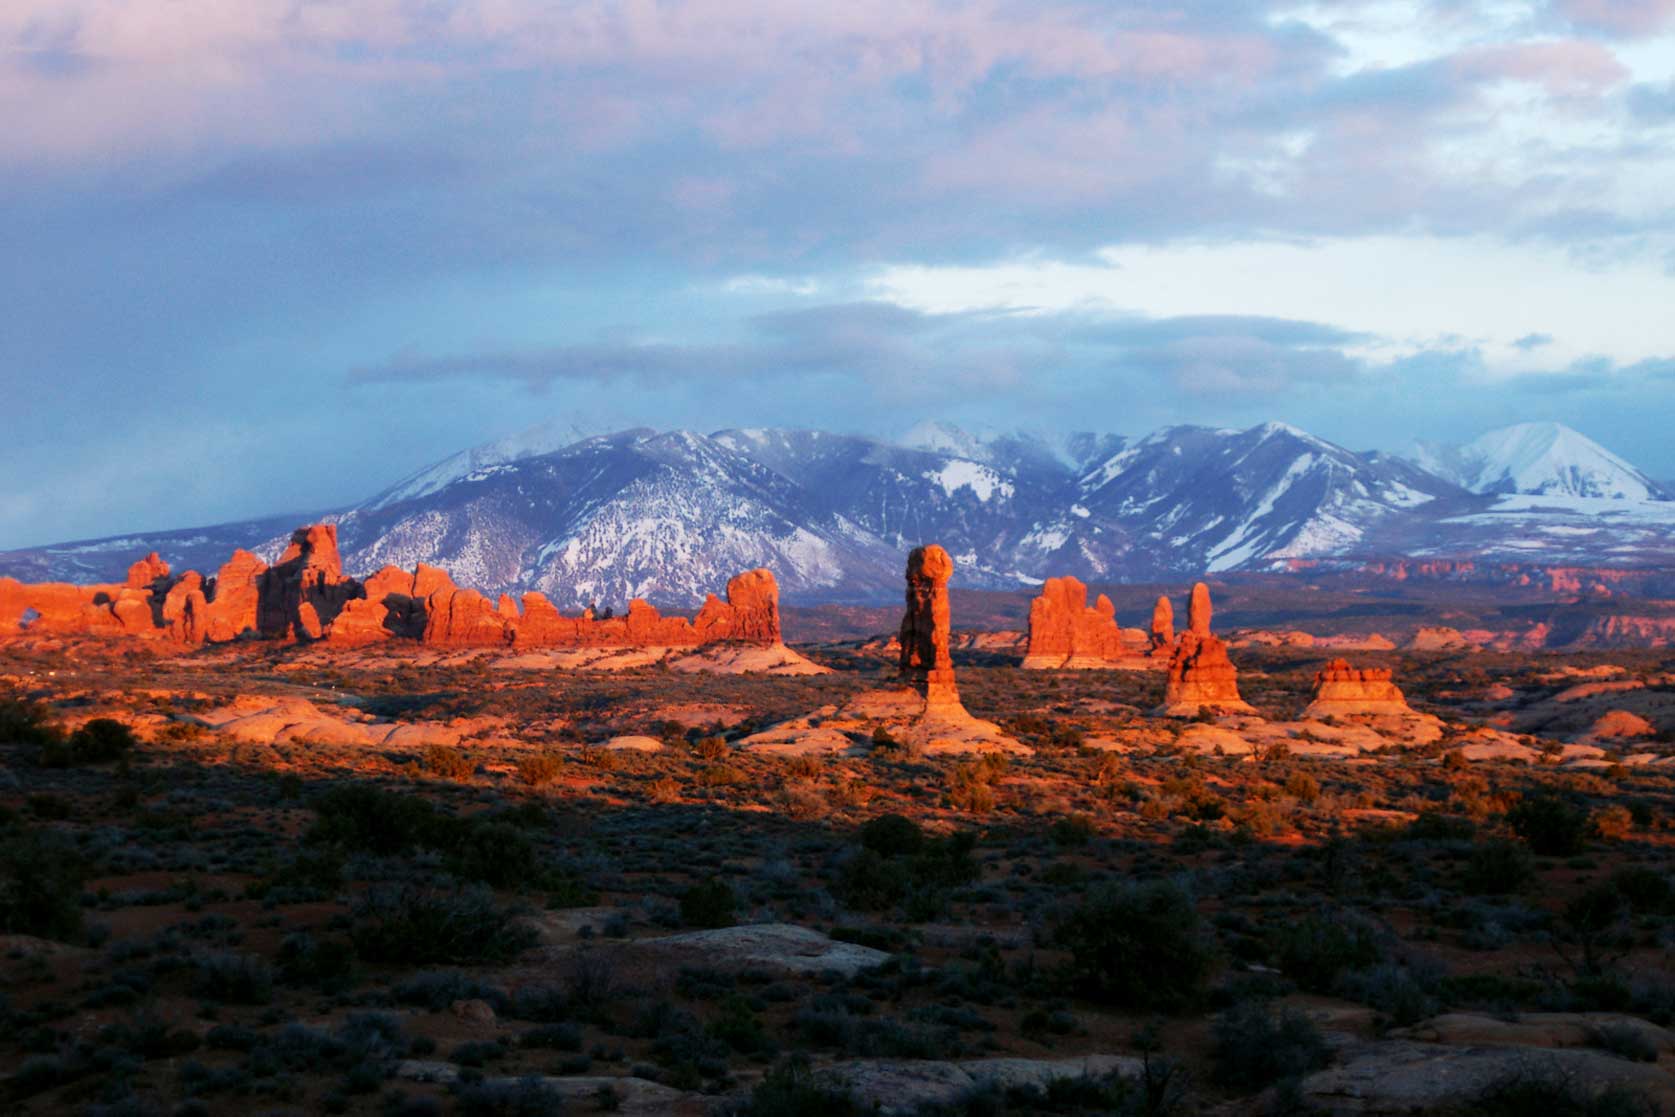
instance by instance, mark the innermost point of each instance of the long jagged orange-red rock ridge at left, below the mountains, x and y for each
(306, 597)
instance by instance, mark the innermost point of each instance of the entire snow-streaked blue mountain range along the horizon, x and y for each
(671, 515)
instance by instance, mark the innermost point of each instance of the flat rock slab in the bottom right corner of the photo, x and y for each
(1404, 1078)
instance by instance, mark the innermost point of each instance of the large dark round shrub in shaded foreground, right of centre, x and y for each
(1138, 945)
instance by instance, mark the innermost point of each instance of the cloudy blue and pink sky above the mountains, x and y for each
(272, 255)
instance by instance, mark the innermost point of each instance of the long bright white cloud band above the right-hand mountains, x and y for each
(1411, 294)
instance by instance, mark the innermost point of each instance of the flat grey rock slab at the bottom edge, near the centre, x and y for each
(902, 1086)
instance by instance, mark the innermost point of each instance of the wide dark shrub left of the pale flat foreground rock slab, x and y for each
(435, 924)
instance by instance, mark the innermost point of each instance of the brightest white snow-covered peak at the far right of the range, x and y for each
(1538, 460)
